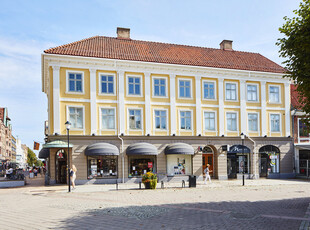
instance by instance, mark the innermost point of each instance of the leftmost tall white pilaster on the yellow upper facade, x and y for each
(56, 103)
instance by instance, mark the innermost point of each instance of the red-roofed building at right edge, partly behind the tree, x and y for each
(301, 135)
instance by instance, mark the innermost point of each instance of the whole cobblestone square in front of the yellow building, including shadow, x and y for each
(261, 204)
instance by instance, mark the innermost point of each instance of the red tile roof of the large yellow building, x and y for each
(134, 50)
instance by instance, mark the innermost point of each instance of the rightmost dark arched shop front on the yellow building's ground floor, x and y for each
(269, 162)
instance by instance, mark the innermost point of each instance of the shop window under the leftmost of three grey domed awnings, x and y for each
(102, 167)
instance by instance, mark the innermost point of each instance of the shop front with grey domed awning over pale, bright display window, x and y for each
(179, 159)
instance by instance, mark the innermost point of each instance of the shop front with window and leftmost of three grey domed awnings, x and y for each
(102, 161)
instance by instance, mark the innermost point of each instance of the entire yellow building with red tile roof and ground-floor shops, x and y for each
(138, 106)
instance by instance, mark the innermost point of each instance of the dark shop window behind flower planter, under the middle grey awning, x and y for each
(139, 165)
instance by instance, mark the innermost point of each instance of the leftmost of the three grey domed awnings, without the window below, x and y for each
(101, 149)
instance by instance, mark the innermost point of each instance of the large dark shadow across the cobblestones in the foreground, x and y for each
(278, 214)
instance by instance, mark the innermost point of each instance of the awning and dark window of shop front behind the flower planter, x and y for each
(141, 159)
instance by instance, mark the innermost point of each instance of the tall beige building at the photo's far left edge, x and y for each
(5, 135)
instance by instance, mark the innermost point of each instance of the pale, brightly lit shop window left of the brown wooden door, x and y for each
(178, 165)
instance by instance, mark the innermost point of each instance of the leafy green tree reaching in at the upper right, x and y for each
(295, 48)
